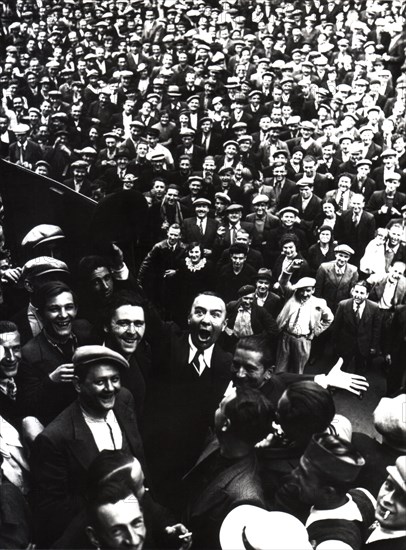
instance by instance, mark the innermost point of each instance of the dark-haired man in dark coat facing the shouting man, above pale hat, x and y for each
(213, 492)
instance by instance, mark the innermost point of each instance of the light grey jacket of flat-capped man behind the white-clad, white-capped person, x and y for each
(332, 287)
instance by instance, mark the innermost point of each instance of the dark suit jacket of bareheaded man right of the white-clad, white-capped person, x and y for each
(350, 336)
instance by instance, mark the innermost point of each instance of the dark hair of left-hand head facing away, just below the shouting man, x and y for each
(250, 415)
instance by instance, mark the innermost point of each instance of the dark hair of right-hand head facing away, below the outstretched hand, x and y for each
(307, 409)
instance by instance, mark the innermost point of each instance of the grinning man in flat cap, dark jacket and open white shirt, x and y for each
(102, 417)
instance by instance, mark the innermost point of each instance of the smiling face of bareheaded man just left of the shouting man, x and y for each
(126, 329)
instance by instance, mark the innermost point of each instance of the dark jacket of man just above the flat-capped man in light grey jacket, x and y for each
(356, 236)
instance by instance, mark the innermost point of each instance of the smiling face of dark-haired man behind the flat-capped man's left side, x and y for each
(58, 315)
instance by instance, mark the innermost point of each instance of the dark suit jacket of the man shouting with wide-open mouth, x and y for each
(181, 404)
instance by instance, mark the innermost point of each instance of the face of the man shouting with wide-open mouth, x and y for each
(207, 319)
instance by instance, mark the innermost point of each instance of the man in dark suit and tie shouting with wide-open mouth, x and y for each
(193, 372)
